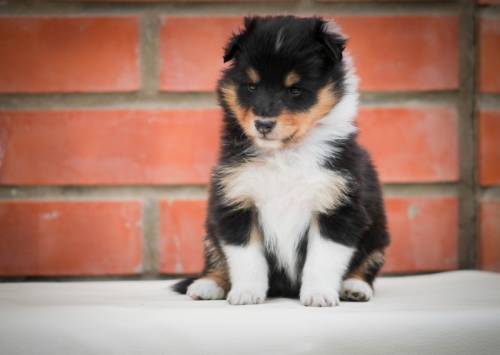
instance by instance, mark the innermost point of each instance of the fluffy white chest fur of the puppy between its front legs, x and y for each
(287, 189)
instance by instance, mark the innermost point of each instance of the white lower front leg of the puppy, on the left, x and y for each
(248, 273)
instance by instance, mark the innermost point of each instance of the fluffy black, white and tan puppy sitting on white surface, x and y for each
(295, 206)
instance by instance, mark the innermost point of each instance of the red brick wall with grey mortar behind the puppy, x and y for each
(109, 128)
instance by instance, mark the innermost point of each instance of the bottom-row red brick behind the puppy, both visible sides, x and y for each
(423, 230)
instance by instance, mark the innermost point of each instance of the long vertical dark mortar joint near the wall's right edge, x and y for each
(468, 235)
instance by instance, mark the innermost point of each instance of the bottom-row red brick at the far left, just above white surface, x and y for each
(70, 238)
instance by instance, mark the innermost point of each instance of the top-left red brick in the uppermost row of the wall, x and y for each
(77, 54)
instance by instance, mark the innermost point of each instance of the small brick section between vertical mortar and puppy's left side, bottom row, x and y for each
(182, 231)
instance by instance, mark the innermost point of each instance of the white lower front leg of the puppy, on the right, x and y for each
(326, 263)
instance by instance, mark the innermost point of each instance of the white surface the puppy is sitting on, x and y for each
(450, 313)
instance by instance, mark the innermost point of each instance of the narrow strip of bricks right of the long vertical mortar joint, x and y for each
(488, 117)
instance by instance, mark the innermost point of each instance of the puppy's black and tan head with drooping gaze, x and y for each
(286, 74)
